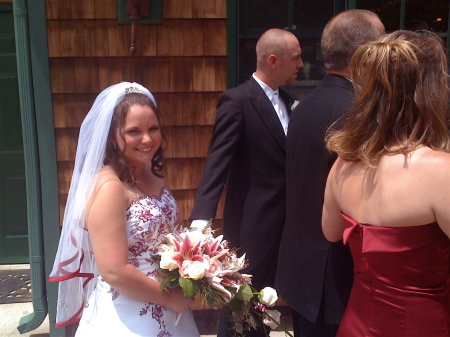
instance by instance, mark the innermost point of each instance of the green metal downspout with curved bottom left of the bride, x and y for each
(35, 319)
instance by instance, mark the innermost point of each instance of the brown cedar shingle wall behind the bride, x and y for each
(182, 61)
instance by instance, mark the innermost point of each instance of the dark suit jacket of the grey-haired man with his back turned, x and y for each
(308, 264)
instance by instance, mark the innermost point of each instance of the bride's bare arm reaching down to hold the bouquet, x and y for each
(106, 222)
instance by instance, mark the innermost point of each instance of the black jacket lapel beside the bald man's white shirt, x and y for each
(267, 113)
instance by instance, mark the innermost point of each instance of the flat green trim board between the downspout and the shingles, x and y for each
(47, 150)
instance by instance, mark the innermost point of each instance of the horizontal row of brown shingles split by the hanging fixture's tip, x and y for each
(176, 37)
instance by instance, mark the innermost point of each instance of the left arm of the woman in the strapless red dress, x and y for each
(332, 220)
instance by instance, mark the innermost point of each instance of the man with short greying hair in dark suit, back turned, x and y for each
(315, 276)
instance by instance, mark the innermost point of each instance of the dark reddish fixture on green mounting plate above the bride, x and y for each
(138, 11)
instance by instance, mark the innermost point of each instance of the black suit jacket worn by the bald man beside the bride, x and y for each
(247, 151)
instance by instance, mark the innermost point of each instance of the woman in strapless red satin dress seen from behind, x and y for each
(388, 194)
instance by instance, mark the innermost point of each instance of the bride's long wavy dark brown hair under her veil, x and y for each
(114, 155)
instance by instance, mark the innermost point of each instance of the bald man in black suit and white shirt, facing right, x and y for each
(247, 153)
